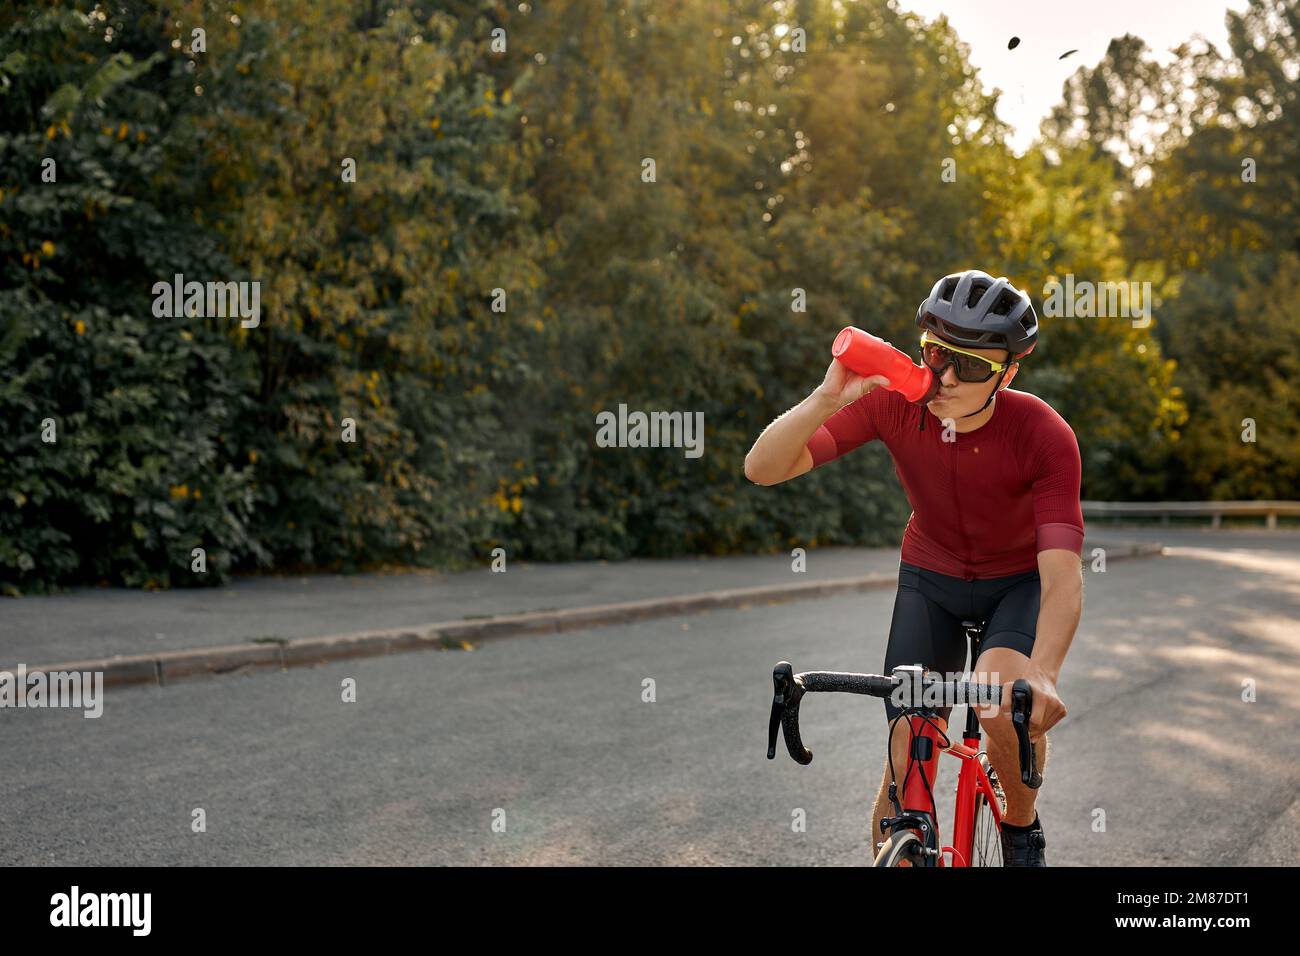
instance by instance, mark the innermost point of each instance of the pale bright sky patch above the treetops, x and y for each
(1032, 75)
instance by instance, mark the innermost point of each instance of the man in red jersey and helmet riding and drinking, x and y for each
(996, 531)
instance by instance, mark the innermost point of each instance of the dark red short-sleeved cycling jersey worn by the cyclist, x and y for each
(985, 504)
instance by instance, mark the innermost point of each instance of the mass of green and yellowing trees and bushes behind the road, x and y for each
(519, 178)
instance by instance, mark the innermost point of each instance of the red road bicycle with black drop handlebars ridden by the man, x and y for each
(915, 840)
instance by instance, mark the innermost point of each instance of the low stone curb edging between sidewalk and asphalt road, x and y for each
(170, 668)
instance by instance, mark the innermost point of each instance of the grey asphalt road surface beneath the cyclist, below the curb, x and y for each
(552, 736)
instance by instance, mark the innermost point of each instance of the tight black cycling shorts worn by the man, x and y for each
(929, 612)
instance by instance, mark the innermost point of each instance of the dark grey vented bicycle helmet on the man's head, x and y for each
(972, 309)
